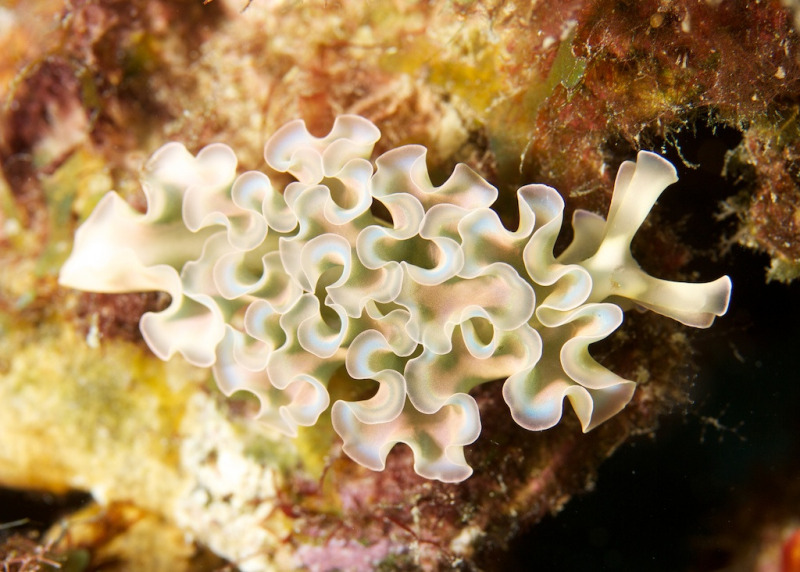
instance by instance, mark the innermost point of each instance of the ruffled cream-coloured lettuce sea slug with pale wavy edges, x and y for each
(277, 289)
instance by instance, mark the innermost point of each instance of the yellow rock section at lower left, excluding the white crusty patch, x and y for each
(74, 417)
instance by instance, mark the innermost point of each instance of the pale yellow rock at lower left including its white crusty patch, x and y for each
(117, 422)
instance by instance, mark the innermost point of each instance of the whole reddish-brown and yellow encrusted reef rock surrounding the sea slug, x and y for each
(520, 93)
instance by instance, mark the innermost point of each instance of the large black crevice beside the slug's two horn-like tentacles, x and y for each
(673, 501)
